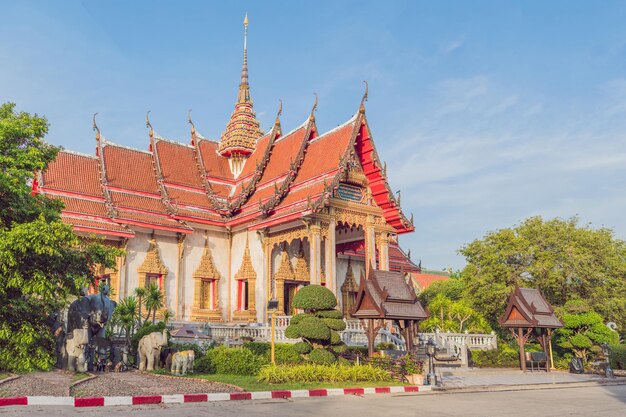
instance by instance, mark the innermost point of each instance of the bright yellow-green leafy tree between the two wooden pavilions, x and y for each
(453, 316)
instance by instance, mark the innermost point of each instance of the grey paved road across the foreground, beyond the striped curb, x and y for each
(588, 401)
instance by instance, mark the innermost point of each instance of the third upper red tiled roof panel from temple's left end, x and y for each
(178, 163)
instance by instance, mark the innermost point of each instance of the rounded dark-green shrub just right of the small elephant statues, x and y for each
(235, 361)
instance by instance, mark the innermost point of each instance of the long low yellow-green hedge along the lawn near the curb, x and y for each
(280, 374)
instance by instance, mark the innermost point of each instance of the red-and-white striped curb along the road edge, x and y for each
(195, 398)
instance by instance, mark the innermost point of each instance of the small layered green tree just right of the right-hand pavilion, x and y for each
(583, 329)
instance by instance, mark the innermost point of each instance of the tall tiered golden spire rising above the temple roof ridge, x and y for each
(243, 129)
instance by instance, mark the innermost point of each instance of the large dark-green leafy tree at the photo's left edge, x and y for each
(42, 262)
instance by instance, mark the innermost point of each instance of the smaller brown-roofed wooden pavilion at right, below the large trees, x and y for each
(528, 313)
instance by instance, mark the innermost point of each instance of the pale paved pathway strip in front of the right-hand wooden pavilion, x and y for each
(462, 378)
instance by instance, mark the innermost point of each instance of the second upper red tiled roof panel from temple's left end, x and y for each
(130, 169)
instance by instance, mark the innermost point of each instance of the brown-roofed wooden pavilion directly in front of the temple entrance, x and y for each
(385, 295)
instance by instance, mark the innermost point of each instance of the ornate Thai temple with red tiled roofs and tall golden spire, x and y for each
(224, 226)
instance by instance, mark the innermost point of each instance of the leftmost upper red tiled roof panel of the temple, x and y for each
(74, 173)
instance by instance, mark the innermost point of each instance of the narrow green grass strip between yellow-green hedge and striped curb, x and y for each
(249, 383)
